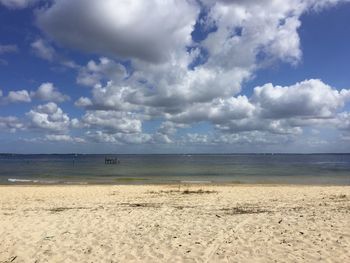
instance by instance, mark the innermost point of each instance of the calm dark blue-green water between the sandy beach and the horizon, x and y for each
(141, 169)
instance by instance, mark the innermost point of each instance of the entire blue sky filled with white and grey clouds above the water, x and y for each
(174, 76)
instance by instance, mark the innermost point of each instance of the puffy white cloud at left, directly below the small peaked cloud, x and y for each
(48, 117)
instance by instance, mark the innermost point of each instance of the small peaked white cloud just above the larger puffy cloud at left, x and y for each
(47, 92)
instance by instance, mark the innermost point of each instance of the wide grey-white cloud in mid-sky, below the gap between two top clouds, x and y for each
(180, 88)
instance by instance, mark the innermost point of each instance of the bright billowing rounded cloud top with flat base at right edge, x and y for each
(310, 99)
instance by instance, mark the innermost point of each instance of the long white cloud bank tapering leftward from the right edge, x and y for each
(273, 109)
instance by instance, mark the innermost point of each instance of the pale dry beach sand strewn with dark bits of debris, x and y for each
(164, 224)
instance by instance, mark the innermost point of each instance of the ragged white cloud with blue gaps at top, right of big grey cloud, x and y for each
(246, 29)
